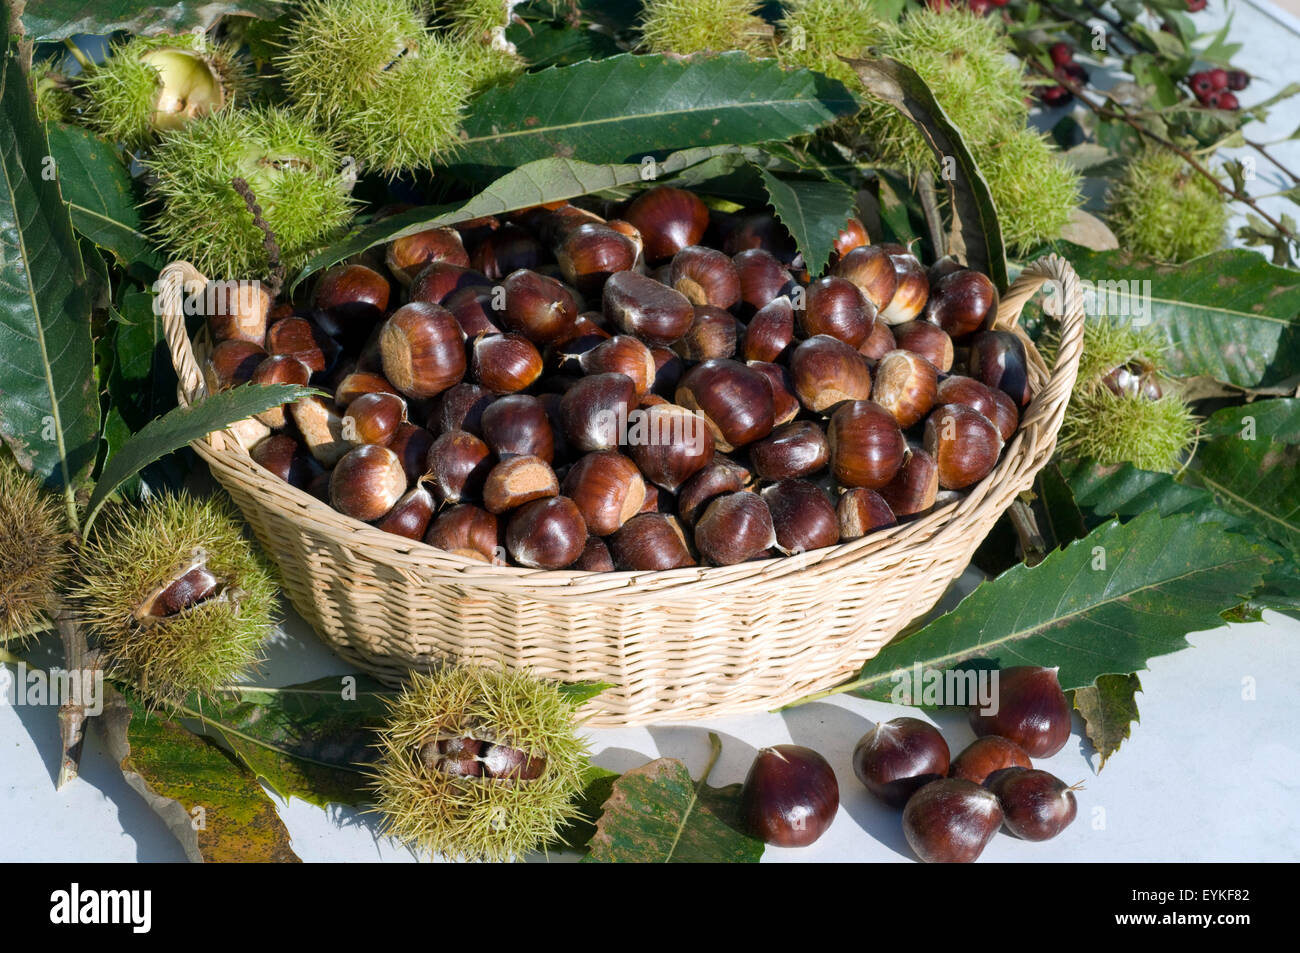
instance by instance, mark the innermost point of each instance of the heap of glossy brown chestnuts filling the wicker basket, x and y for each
(666, 389)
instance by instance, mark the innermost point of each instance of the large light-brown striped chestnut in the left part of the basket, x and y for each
(423, 350)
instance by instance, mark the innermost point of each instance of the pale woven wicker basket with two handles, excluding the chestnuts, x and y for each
(675, 646)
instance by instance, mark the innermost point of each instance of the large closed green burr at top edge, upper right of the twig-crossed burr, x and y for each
(374, 76)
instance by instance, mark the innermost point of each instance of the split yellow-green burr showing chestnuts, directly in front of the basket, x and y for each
(478, 764)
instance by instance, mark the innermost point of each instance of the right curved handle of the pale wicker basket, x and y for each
(1064, 301)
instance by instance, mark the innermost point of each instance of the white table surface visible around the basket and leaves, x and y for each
(1208, 774)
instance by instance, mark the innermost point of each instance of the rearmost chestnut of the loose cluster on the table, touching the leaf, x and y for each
(1030, 711)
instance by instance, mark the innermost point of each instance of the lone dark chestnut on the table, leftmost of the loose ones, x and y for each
(790, 796)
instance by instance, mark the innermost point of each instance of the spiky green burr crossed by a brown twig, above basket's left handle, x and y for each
(300, 180)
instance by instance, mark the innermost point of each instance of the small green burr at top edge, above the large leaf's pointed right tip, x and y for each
(817, 33)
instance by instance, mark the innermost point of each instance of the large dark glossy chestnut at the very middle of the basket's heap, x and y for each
(735, 401)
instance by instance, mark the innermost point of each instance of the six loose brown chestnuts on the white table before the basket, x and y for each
(951, 807)
